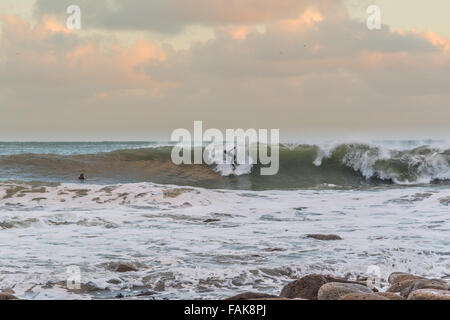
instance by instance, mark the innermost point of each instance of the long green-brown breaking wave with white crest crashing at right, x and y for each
(301, 166)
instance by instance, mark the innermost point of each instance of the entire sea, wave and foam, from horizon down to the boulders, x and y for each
(194, 232)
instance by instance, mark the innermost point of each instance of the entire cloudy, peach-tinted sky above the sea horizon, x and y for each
(137, 70)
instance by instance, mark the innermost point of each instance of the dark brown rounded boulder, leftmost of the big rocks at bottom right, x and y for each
(308, 286)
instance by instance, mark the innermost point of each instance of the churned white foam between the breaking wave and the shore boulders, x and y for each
(252, 240)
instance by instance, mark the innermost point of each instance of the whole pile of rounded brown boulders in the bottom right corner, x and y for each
(402, 286)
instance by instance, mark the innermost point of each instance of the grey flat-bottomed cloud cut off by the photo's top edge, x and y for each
(171, 16)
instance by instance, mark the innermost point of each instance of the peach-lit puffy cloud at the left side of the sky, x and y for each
(107, 65)
